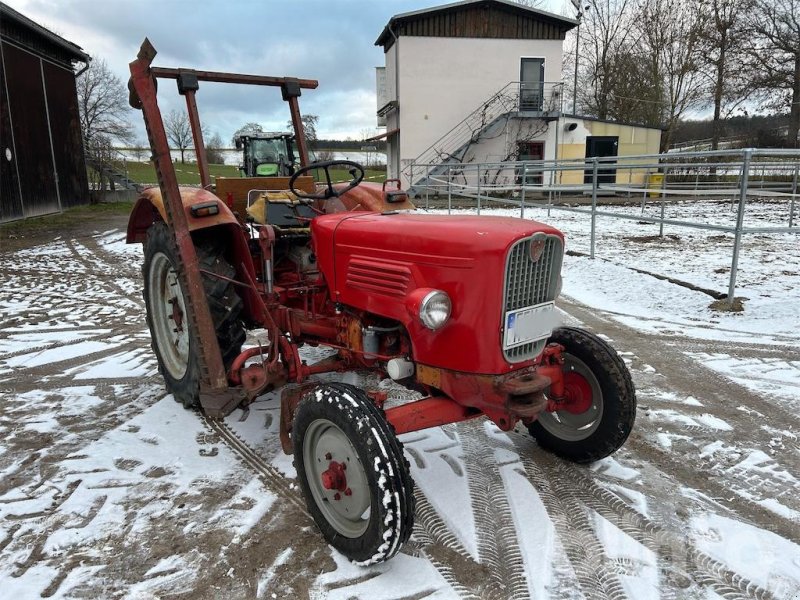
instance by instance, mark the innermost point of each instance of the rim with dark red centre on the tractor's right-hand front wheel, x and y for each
(583, 407)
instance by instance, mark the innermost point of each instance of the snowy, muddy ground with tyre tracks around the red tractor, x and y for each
(108, 488)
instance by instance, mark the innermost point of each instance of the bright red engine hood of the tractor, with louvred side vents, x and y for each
(374, 261)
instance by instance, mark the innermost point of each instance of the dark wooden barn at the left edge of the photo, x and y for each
(42, 168)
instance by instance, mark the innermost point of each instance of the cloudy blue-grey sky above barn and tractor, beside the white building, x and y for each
(329, 40)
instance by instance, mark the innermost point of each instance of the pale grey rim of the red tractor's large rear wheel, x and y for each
(168, 308)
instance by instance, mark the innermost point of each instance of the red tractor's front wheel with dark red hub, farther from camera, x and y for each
(597, 378)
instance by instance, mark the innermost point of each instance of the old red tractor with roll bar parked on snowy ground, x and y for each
(458, 308)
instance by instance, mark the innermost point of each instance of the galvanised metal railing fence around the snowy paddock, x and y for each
(737, 175)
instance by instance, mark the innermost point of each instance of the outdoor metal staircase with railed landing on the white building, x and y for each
(514, 100)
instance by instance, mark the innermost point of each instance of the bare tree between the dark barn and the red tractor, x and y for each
(103, 104)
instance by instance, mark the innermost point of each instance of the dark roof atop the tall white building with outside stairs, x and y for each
(399, 22)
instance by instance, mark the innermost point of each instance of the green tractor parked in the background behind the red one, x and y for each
(267, 154)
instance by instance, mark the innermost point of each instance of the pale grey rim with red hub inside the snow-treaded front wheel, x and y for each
(336, 478)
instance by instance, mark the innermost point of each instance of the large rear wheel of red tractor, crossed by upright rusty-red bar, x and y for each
(176, 349)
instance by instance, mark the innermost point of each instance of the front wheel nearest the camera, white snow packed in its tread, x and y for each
(338, 421)
